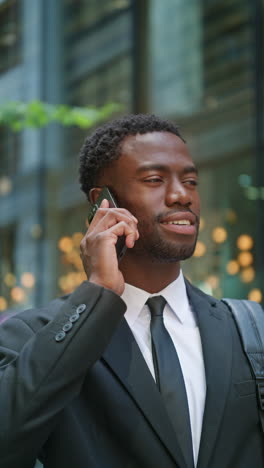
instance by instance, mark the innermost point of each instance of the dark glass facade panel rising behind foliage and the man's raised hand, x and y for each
(98, 65)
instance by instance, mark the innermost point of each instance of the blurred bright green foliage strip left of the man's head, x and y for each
(36, 114)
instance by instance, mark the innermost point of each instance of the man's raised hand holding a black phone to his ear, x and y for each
(110, 233)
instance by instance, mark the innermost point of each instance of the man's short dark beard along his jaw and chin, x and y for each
(159, 250)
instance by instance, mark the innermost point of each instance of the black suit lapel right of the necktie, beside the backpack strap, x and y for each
(217, 350)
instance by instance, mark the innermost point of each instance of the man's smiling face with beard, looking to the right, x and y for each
(156, 180)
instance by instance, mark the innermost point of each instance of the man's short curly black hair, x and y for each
(104, 145)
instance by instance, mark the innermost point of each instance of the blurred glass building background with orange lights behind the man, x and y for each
(196, 62)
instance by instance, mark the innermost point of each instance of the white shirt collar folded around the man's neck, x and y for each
(175, 295)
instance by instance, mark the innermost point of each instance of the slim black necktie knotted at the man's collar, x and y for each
(169, 377)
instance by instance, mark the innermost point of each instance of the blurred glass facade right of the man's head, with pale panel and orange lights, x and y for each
(203, 77)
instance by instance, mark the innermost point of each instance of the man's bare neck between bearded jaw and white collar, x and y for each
(148, 275)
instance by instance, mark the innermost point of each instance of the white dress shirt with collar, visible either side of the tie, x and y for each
(180, 321)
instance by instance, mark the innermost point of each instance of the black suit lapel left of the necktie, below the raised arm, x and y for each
(125, 359)
